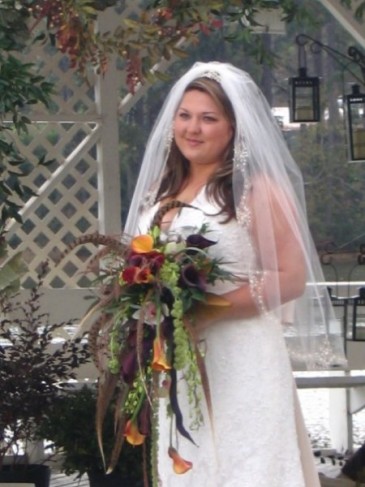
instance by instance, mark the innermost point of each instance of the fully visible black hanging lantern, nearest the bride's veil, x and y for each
(304, 98)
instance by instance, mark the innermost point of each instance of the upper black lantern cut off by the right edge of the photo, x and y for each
(356, 124)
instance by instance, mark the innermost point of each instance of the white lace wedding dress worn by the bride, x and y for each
(256, 441)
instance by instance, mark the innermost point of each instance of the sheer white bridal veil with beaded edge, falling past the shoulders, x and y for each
(314, 337)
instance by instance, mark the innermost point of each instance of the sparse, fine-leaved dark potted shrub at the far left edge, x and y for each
(31, 365)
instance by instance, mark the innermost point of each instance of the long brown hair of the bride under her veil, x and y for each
(219, 186)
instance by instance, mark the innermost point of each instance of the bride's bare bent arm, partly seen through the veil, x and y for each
(284, 275)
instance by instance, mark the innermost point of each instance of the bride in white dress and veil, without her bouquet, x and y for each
(216, 148)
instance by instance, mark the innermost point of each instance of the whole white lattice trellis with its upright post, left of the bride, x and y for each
(79, 192)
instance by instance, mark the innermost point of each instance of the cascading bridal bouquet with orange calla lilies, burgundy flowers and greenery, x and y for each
(143, 341)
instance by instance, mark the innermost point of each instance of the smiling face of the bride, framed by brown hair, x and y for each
(201, 128)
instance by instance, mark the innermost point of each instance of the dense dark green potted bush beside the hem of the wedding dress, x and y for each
(70, 426)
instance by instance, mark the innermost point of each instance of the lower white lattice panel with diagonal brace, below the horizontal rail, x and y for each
(67, 205)
